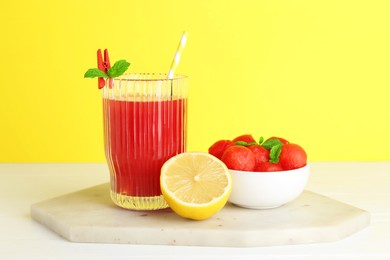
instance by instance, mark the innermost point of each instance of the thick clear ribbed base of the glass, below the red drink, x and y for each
(139, 203)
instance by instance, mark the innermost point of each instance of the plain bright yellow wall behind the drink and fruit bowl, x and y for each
(314, 72)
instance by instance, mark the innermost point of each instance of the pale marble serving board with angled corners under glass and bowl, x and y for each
(90, 216)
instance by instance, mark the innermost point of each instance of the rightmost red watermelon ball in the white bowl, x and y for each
(292, 156)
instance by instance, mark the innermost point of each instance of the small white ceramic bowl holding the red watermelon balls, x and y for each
(265, 190)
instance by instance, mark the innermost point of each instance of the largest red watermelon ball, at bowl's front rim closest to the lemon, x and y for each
(239, 158)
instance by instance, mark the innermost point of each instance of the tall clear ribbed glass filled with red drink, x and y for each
(145, 124)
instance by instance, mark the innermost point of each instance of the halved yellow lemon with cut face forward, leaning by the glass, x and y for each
(195, 185)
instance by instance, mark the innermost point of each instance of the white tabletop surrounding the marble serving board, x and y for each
(363, 185)
